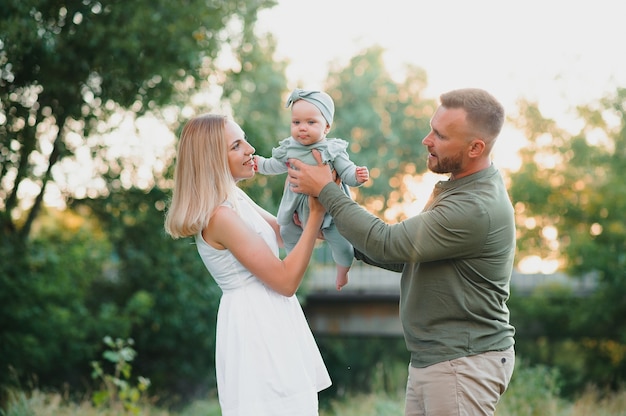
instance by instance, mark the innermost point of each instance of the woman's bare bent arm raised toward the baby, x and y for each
(227, 230)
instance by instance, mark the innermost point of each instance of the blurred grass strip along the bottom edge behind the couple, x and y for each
(533, 392)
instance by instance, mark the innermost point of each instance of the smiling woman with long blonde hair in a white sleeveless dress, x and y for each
(267, 362)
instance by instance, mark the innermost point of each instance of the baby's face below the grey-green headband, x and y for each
(308, 126)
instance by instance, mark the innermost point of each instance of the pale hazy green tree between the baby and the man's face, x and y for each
(384, 122)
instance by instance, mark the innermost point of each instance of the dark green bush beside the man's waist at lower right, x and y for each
(553, 329)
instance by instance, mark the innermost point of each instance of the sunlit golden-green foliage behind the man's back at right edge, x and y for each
(574, 183)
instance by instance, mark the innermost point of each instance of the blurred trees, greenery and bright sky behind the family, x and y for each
(92, 98)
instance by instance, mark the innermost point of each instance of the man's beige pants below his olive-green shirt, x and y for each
(466, 386)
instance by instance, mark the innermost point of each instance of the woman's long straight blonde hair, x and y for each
(202, 179)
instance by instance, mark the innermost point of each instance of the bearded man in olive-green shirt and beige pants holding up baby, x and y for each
(456, 259)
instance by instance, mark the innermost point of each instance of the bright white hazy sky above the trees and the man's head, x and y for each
(558, 53)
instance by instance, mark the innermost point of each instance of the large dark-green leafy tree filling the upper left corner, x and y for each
(65, 66)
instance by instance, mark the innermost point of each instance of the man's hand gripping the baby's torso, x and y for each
(309, 179)
